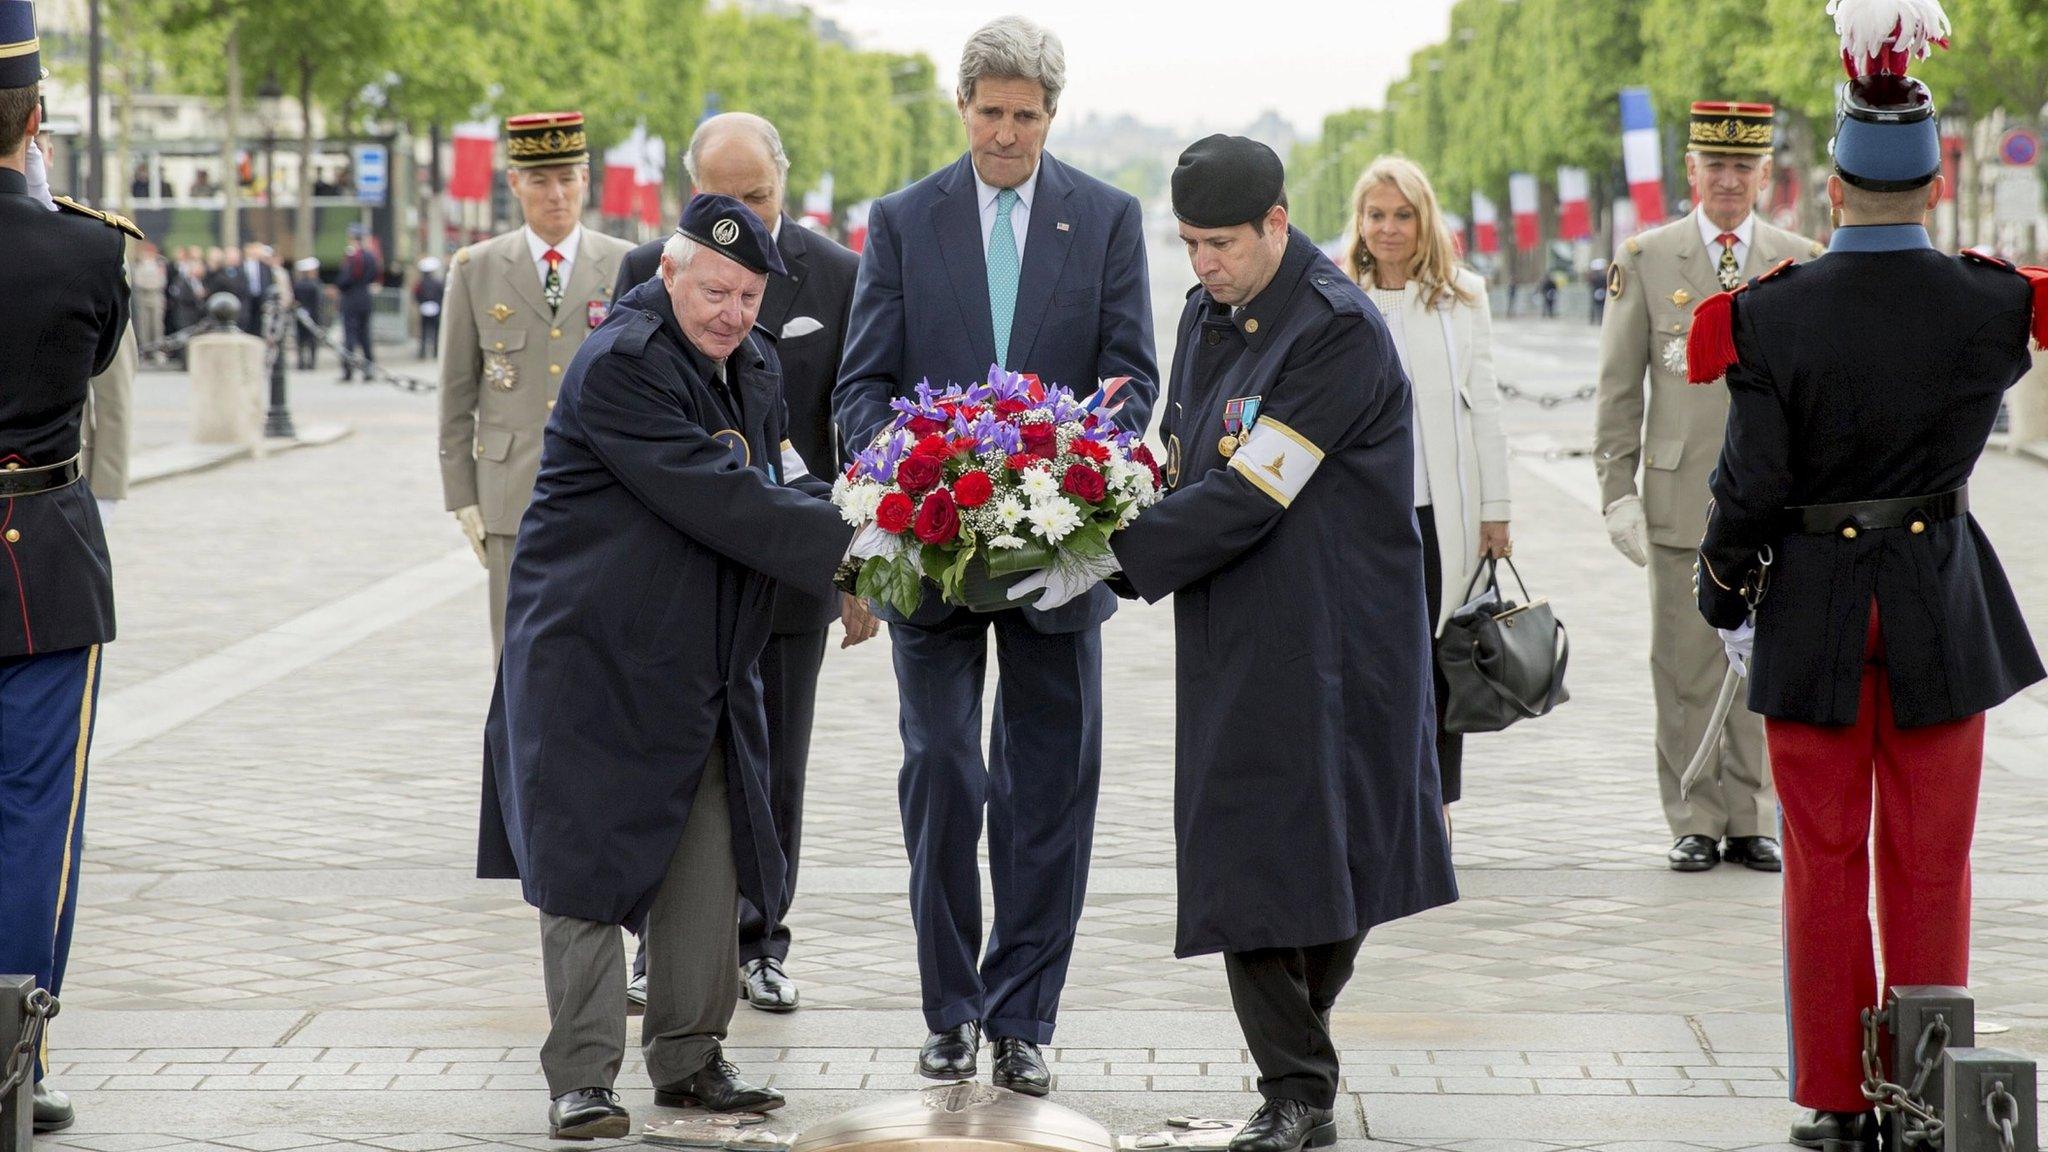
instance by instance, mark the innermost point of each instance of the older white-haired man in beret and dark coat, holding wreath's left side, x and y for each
(628, 753)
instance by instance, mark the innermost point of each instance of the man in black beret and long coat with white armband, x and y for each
(1306, 798)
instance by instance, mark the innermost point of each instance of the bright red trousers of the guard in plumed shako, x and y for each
(1924, 788)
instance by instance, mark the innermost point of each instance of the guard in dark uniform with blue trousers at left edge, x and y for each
(62, 319)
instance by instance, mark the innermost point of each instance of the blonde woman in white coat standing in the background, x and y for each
(1402, 253)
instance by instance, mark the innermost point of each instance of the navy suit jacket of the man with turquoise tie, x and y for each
(923, 313)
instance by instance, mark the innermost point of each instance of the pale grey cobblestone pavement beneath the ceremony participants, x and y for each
(280, 942)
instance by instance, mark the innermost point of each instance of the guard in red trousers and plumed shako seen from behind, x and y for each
(1865, 386)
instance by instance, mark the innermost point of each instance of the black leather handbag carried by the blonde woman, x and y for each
(1500, 661)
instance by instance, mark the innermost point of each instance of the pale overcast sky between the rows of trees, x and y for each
(1191, 65)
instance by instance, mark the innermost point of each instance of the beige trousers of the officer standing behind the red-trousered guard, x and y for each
(1687, 669)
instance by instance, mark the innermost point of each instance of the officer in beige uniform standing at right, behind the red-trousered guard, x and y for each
(1670, 436)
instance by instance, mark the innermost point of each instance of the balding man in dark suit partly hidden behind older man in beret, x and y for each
(806, 308)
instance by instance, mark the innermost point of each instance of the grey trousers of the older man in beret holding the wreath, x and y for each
(693, 964)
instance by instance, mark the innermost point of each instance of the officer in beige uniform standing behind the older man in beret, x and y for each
(517, 311)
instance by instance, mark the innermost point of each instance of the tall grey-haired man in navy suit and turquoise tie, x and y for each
(1005, 257)
